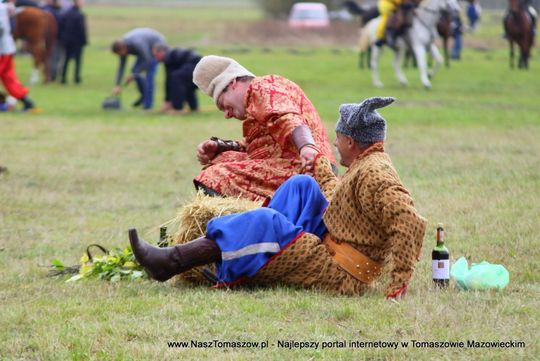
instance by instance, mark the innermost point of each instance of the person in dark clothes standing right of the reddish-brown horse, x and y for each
(73, 37)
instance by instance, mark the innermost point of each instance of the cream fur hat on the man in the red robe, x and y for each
(213, 73)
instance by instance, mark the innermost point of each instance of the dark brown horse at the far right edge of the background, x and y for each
(518, 26)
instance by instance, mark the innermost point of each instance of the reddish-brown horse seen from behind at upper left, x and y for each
(38, 29)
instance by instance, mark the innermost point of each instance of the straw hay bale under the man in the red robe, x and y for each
(191, 221)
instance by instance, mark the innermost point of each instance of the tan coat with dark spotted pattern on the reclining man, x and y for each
(371, 210)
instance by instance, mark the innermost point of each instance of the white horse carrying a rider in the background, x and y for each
(419, 37)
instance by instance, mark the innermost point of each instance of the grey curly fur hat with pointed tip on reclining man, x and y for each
(362, 122)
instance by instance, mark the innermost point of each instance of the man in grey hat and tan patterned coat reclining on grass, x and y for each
(332, 235)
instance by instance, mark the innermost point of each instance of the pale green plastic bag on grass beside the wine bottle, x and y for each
(481, 276)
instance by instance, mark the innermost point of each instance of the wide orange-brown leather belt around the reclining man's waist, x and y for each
(352, 260)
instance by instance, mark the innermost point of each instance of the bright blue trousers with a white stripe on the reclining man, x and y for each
(249, 240)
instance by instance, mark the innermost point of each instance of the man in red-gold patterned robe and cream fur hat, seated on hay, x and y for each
(282, 131)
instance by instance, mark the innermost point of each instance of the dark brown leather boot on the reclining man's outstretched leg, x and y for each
(163, 263)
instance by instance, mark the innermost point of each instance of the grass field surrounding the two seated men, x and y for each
(468, 150)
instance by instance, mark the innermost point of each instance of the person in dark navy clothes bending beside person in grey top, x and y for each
(179, 87)
